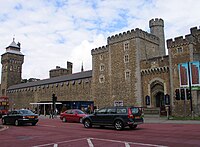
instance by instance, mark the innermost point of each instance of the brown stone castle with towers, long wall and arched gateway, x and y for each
(132, 69)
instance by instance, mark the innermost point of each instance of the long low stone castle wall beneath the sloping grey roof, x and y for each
(76, 90)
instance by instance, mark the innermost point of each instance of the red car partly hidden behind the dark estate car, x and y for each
(72, 115)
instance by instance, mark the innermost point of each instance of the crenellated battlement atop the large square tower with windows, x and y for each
(137, 33)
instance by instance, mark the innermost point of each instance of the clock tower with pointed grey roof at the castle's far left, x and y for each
(11, 61)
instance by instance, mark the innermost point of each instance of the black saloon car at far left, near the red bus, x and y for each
(20, 117)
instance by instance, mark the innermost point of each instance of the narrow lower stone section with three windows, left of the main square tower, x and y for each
(101, 77)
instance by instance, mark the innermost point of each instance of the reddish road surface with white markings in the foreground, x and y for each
(55, 133)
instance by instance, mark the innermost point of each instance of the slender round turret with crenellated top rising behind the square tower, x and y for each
(157, 28)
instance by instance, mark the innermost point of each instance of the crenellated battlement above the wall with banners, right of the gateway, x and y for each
(180, 41)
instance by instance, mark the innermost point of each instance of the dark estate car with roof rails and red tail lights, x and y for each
(119, 117)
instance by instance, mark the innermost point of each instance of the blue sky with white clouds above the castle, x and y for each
(52, 32)
